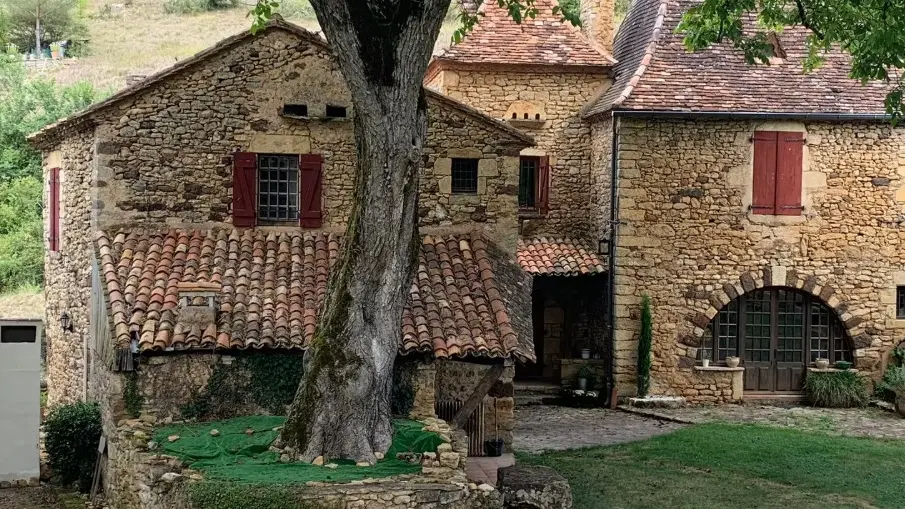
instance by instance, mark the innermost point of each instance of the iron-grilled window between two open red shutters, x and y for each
(278, 187)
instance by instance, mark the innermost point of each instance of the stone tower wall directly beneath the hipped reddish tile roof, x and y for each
(557, 98)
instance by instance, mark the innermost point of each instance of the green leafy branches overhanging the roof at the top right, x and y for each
(871, 31)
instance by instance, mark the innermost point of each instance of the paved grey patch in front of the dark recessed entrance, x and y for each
(546, 427)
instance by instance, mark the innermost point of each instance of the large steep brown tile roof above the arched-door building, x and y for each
(656, 72)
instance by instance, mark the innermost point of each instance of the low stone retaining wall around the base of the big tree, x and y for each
(138, 476)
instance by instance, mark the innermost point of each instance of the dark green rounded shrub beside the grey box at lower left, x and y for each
(72, 434)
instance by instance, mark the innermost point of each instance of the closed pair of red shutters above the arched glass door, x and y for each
(777, 173)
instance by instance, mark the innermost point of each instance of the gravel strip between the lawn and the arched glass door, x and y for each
(861, 422)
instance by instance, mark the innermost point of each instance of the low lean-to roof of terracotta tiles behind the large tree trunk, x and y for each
(464, 301)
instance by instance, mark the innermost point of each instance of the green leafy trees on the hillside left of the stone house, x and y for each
(26, 105)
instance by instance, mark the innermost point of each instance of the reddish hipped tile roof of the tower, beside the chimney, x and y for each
(544, 40)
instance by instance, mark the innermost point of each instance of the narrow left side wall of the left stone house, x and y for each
(67, 272)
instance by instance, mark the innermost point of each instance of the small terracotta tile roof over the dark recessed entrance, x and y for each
(558, 257)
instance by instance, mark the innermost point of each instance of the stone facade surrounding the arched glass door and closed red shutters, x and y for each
(688, 239)
